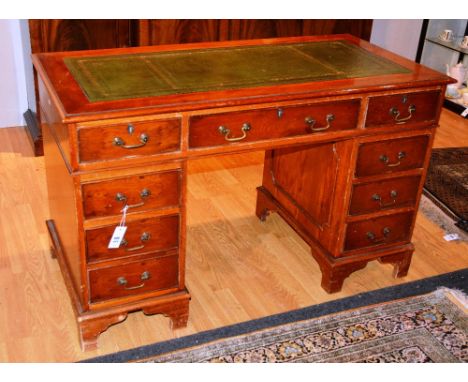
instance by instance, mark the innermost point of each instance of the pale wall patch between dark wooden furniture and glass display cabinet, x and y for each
(398, 36)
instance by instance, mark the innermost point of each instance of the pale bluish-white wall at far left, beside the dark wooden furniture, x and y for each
(13, 94)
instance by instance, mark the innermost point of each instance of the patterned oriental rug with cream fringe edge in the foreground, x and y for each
(428, 328)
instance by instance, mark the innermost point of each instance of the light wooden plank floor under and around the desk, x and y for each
(237, 267)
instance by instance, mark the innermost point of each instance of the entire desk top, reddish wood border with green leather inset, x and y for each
(107, 83)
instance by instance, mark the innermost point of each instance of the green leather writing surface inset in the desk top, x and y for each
(108, 78)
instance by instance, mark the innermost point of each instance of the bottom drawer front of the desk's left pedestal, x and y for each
(133, 278)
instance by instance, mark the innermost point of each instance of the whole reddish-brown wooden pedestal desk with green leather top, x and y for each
(347, 128)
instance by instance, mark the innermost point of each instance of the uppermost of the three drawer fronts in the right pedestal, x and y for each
(391, 156)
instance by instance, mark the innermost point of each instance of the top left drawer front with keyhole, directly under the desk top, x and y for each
(124, 140)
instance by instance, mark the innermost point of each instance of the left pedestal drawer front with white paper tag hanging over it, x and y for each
(142, 236)
